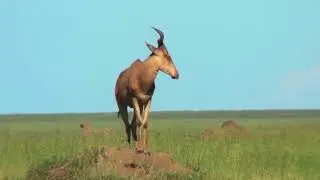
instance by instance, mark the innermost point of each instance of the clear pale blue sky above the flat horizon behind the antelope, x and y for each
(65, 56)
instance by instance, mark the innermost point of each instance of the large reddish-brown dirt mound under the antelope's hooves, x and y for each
(107, 161)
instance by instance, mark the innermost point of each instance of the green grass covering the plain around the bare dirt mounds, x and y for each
(290, 150)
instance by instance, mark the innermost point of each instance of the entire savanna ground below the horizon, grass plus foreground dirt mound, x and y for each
(283, 144)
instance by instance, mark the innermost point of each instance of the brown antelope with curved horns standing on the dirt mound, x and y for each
(135, 87)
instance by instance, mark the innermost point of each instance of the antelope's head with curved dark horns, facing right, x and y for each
(163, 57)
